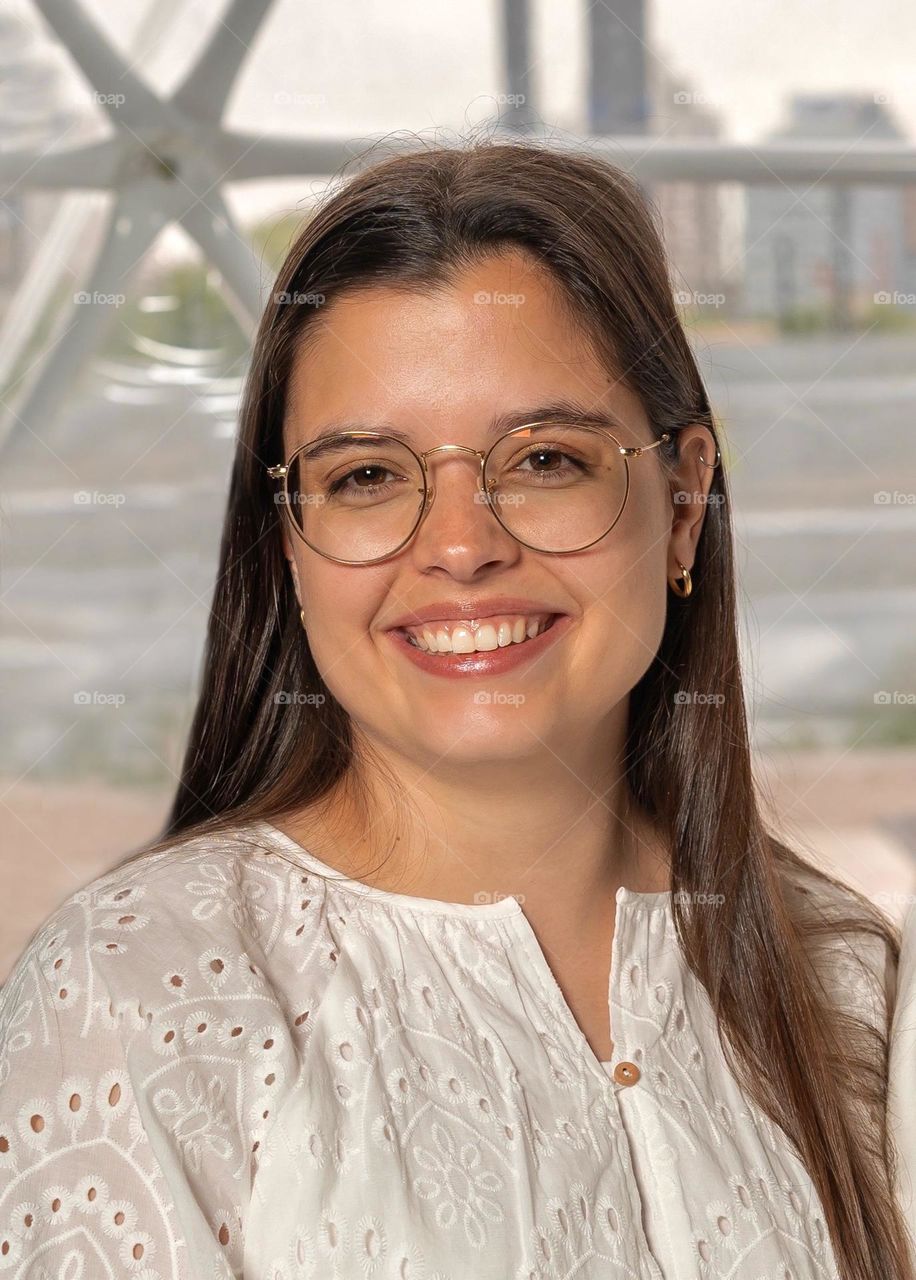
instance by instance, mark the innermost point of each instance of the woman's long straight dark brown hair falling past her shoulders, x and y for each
(414, 221)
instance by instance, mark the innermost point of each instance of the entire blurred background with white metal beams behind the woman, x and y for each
(158, 157)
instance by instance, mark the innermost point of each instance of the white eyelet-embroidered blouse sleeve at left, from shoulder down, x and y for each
(148, 1039)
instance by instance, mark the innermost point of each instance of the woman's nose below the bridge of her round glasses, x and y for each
(459, 532)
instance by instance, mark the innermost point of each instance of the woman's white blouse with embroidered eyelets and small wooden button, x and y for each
(214, 1064)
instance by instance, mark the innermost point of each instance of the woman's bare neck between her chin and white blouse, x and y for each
(564, 843)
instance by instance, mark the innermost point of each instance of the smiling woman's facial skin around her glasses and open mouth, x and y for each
(442, 367)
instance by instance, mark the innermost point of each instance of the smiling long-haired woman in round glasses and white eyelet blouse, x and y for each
(466, 952)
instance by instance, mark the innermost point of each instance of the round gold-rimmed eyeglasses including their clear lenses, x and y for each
(360, 497)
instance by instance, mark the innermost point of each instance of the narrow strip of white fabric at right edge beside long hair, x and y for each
(903, 1075)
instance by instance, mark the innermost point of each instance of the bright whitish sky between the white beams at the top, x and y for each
(363, 67)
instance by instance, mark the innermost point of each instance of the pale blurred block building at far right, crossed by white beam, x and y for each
(826, 248)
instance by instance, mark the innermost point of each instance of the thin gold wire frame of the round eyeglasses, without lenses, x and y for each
(486, 487)
